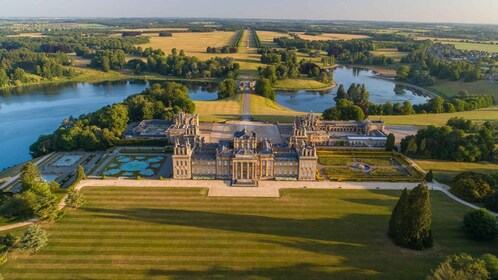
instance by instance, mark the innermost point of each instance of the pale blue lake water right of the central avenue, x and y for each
(381, 91)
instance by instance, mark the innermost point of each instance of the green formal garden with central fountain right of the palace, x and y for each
(365, 165)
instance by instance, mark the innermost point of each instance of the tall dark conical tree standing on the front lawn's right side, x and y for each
(410, 224)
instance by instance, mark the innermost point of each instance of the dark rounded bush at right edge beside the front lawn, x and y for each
(480, 225)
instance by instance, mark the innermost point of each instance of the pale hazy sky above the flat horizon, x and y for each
(464, 11)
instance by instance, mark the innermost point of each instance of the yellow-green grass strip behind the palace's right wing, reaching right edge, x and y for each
(485, 114)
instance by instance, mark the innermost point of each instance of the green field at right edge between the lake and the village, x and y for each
(448, 89)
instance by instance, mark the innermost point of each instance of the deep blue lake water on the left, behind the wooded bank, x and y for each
(27, 113)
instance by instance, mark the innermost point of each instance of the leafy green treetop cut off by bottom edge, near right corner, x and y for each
(460, 267)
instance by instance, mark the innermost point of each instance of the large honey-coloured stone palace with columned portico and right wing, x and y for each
(246, 158)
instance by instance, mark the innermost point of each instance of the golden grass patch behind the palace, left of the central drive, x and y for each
(219, 110)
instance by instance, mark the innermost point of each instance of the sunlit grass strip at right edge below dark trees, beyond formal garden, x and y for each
(445, 171)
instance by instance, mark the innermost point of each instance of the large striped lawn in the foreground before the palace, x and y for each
(157, 233)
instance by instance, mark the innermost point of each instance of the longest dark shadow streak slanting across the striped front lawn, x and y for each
(324, 229)
